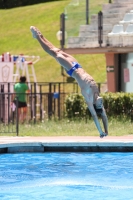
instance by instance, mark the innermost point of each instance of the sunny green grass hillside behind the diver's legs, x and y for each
(15, 37)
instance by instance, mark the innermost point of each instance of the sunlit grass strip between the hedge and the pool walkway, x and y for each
(117, 127)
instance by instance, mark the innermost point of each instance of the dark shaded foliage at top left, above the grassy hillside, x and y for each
(6, 4)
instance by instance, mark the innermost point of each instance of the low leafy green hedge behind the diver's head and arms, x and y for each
(115, 104)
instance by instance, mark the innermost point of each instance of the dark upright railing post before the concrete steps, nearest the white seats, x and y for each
(100, 28)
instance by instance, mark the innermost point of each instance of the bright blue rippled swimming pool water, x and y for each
(66, 176)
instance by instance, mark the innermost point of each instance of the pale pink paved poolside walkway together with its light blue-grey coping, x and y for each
(66, 141)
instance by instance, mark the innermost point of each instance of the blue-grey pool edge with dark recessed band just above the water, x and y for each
(67, 146)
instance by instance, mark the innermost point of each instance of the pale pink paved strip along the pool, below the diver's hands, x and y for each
(67, 139)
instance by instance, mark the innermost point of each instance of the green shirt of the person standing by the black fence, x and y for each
(20, 89)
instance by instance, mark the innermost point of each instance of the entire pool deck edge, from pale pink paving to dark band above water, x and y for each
(88, 143)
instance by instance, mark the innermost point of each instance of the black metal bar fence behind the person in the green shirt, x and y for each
(46, 101)
